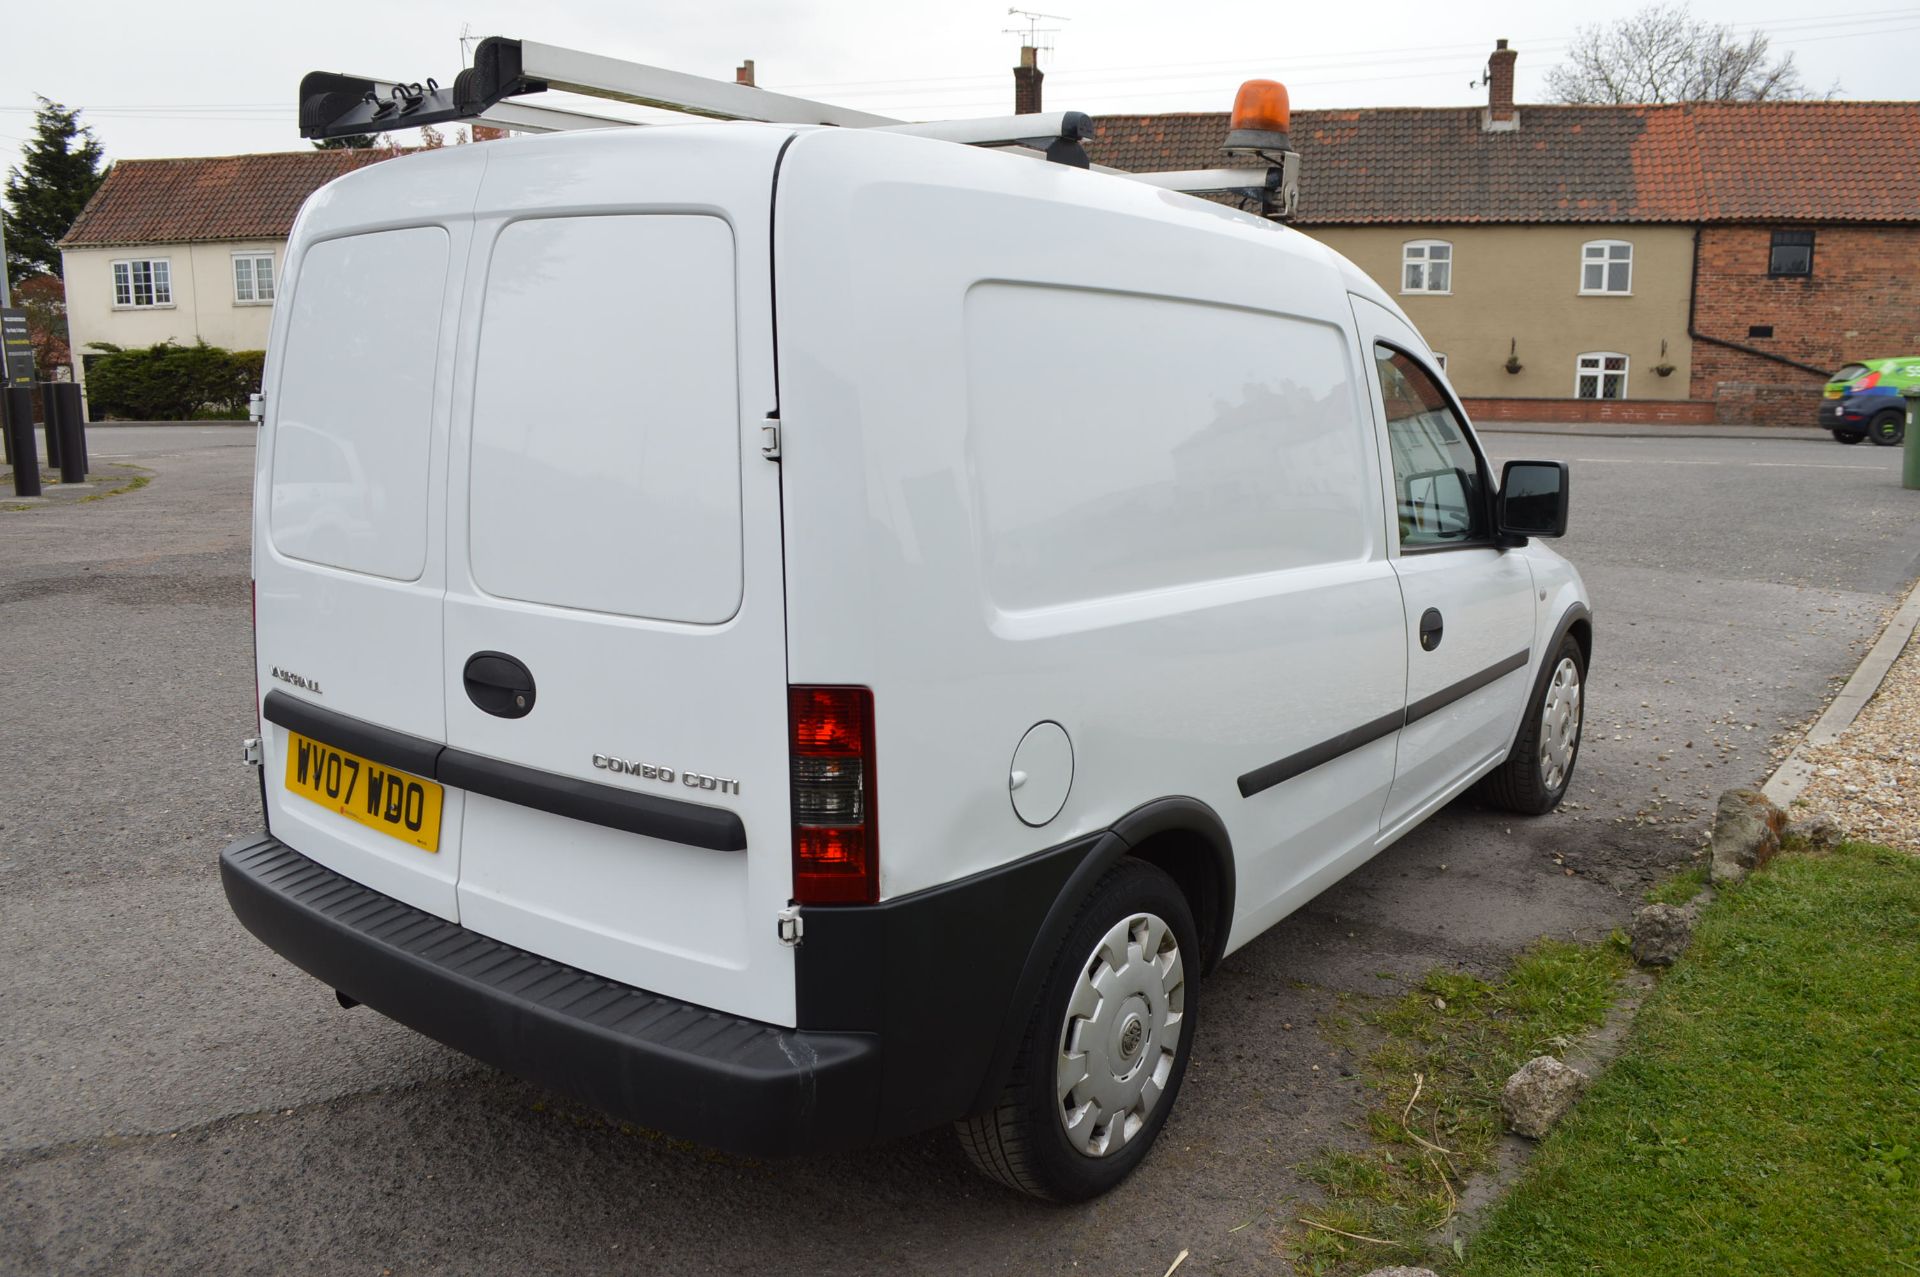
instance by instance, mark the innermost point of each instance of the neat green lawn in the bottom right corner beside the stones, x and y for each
(1765, 1117)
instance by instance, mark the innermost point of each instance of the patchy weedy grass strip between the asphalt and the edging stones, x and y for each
(1437, 1061)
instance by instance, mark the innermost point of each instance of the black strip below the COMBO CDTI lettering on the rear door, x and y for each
(675, 821)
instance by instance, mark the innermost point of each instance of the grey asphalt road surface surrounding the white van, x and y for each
(178, 1099)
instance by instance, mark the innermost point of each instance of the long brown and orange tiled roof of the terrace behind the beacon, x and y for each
(1570, 164)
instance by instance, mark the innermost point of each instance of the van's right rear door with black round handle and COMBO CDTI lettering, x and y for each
(615, 644)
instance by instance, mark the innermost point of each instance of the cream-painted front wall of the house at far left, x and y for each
(203, 310)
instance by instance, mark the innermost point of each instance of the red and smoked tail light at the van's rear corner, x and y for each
(836, 846)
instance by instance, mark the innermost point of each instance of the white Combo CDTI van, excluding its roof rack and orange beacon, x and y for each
(798, 637)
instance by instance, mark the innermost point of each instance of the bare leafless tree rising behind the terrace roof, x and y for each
(1666, 55)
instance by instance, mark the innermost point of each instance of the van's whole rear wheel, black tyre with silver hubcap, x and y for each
(1107, 1048)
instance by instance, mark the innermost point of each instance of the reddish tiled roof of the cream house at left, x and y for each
(208, 199)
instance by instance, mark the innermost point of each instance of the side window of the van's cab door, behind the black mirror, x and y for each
(1437, 473)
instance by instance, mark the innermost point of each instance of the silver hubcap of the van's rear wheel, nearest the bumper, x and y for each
(1120, 1036)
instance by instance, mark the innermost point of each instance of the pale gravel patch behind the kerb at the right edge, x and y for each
(1869, 781)
